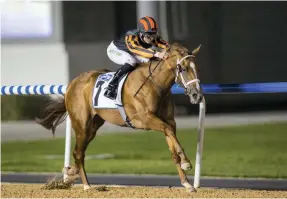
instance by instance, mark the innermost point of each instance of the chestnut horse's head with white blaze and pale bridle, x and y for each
(184, 63)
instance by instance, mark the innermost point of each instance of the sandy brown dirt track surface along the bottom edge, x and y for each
(36, 191)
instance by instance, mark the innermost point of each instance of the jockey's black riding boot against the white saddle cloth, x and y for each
(112, 87)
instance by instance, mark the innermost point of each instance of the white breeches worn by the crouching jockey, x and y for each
(121, 57)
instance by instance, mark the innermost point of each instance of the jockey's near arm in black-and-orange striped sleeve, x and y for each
(134, 47)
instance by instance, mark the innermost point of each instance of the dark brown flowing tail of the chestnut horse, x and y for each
(55, 113)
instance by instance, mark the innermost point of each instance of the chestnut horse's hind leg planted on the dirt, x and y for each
(85, 133)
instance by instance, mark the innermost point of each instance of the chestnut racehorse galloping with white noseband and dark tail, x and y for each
(146, 96)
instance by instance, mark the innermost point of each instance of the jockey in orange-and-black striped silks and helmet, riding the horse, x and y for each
(136, 46)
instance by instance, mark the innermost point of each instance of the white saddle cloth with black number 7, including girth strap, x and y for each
(101, 101)
